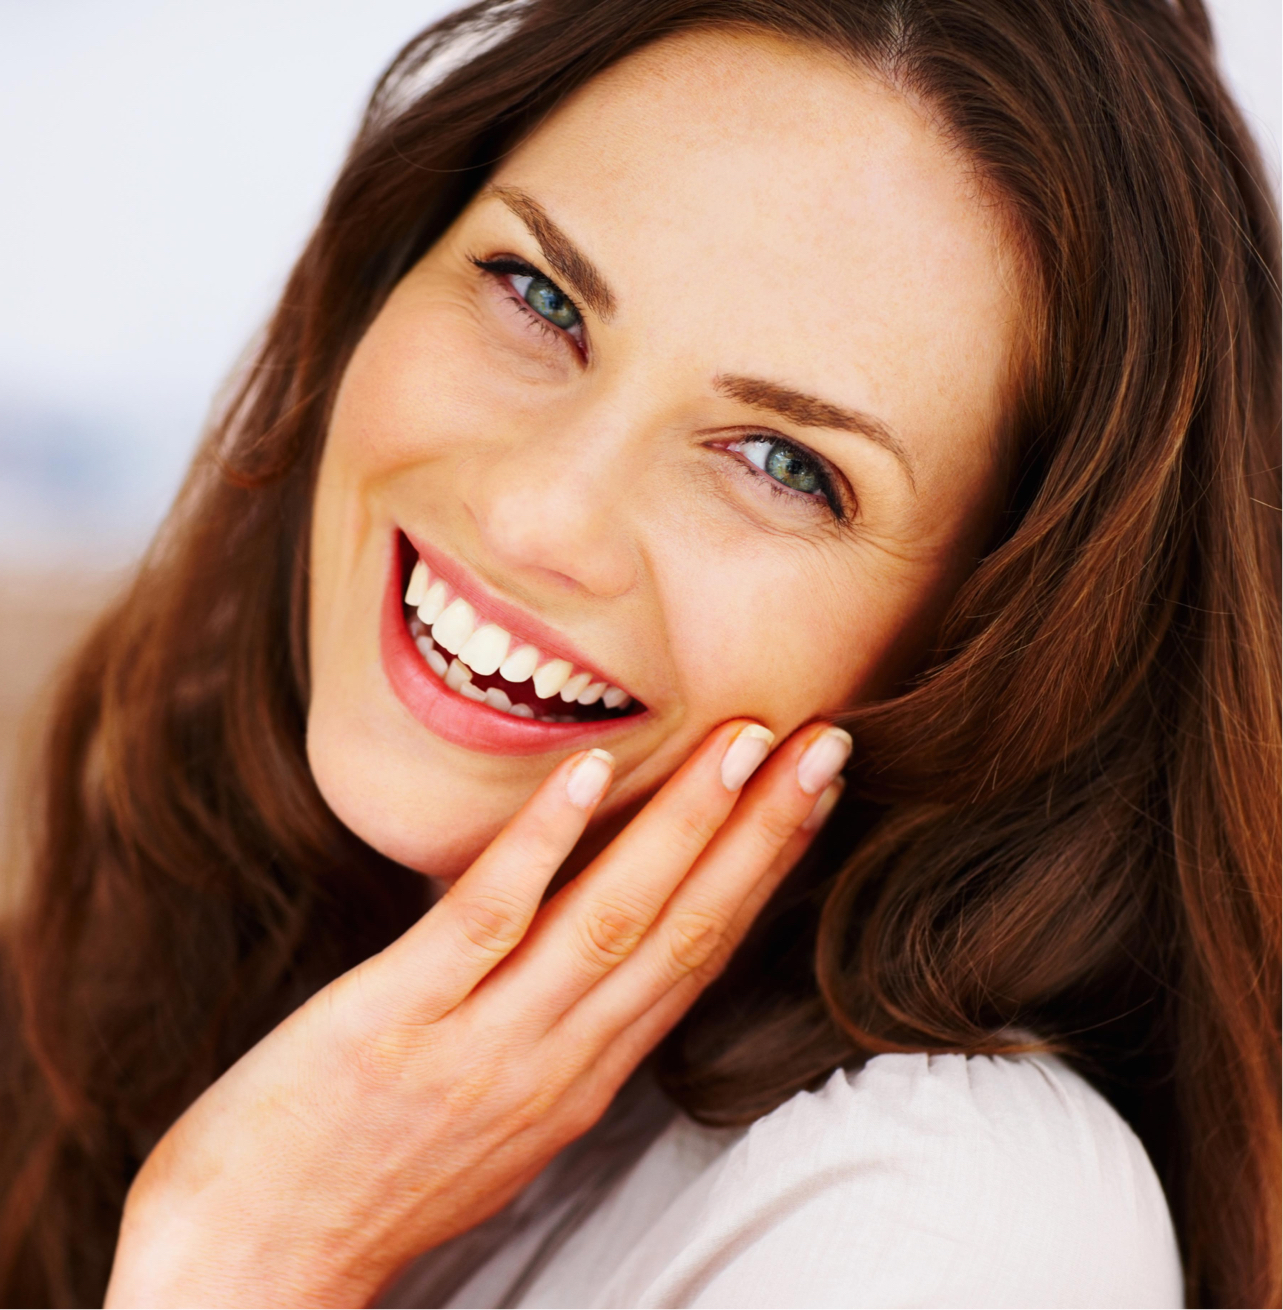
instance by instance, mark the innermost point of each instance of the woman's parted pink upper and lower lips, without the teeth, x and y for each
(455, 719)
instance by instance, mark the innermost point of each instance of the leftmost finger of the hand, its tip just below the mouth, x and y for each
(484, 916)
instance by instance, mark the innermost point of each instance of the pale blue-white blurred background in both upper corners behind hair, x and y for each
(161, 166)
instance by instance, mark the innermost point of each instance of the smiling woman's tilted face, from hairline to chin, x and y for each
(700, 399)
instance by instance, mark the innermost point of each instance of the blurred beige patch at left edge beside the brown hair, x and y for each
(41, 618)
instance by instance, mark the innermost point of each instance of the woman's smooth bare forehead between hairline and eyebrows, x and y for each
(794, 208)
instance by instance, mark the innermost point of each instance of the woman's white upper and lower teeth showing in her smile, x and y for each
(488, 648)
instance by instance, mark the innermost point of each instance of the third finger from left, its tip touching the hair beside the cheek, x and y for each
(706, 919)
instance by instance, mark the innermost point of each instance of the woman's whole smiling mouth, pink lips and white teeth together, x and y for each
(479, 674)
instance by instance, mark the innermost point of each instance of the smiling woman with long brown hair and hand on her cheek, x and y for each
(665, 383)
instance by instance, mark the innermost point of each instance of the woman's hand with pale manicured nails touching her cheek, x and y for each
(416, 1095)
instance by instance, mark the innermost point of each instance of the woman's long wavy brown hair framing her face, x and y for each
(1066, 827)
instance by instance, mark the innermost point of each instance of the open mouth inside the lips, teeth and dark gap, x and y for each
(483, 662)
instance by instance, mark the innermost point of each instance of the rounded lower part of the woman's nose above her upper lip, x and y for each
(555, 505)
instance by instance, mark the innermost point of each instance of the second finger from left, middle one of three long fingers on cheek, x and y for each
(600, 919)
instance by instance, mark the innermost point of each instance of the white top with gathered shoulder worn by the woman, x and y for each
(918, 1181)
